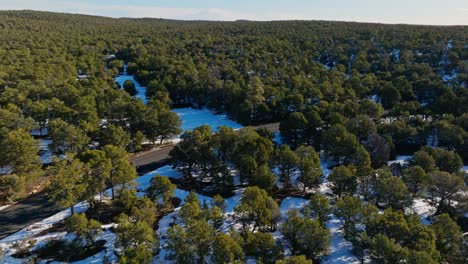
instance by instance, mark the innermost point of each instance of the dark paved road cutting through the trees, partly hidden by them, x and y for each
(36, 207)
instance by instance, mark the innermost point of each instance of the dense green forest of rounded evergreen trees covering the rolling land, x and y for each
(349, 98)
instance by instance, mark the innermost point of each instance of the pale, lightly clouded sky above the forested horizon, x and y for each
(428, 12)
